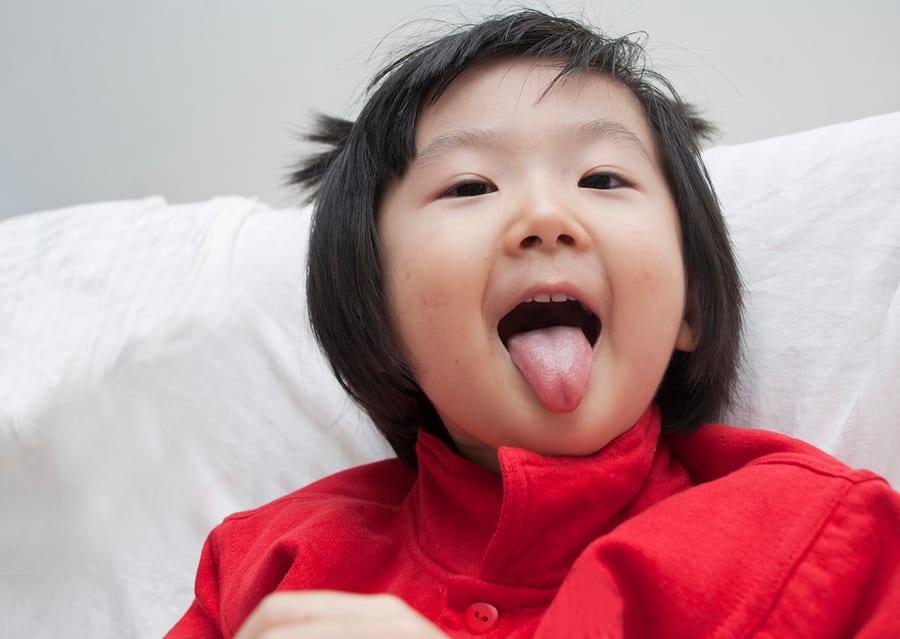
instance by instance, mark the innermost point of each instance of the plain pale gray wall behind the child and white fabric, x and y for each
(190, 99)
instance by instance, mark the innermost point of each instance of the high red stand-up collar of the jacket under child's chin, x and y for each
(527, 525)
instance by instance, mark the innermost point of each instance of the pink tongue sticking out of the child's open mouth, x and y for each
(556, 362)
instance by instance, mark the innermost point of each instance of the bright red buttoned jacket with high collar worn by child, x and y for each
(723, 533)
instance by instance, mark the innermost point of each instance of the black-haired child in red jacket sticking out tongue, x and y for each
(519, 269)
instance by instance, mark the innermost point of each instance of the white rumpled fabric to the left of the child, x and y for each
(157, 374)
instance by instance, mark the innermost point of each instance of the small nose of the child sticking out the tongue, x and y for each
(545, 223)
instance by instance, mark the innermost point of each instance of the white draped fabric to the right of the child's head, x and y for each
(815, 219)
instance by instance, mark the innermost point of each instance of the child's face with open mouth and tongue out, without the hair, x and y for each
(522, 193)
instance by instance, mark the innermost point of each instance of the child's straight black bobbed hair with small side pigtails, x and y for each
(348, 305)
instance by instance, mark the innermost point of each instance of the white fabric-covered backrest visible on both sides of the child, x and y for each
(157, 371)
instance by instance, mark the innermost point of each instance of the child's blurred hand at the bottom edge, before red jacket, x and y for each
(324, 613)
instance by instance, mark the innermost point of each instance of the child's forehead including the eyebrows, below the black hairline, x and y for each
(528, 94)
